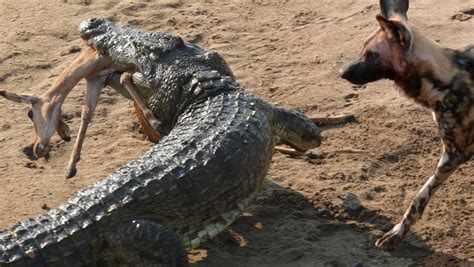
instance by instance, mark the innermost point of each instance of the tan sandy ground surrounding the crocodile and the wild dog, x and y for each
(322, 213)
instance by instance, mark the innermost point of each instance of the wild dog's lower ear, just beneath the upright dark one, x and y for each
(396, 30)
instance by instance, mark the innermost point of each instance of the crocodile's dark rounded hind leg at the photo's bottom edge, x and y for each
(144, 243)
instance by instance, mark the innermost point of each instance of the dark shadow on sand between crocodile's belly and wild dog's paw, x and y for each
(282, 228)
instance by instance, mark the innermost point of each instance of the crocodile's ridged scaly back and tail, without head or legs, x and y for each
(196, 181)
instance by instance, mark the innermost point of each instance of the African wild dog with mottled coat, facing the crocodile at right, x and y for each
(438, 78)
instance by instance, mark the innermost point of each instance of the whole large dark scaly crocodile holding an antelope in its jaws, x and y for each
(187, 188)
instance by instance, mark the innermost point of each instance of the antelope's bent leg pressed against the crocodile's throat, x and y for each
(157, 126)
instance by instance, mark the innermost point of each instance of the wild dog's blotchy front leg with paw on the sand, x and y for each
(394, 238)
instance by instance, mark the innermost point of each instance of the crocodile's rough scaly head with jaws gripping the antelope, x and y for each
(163, 63)
